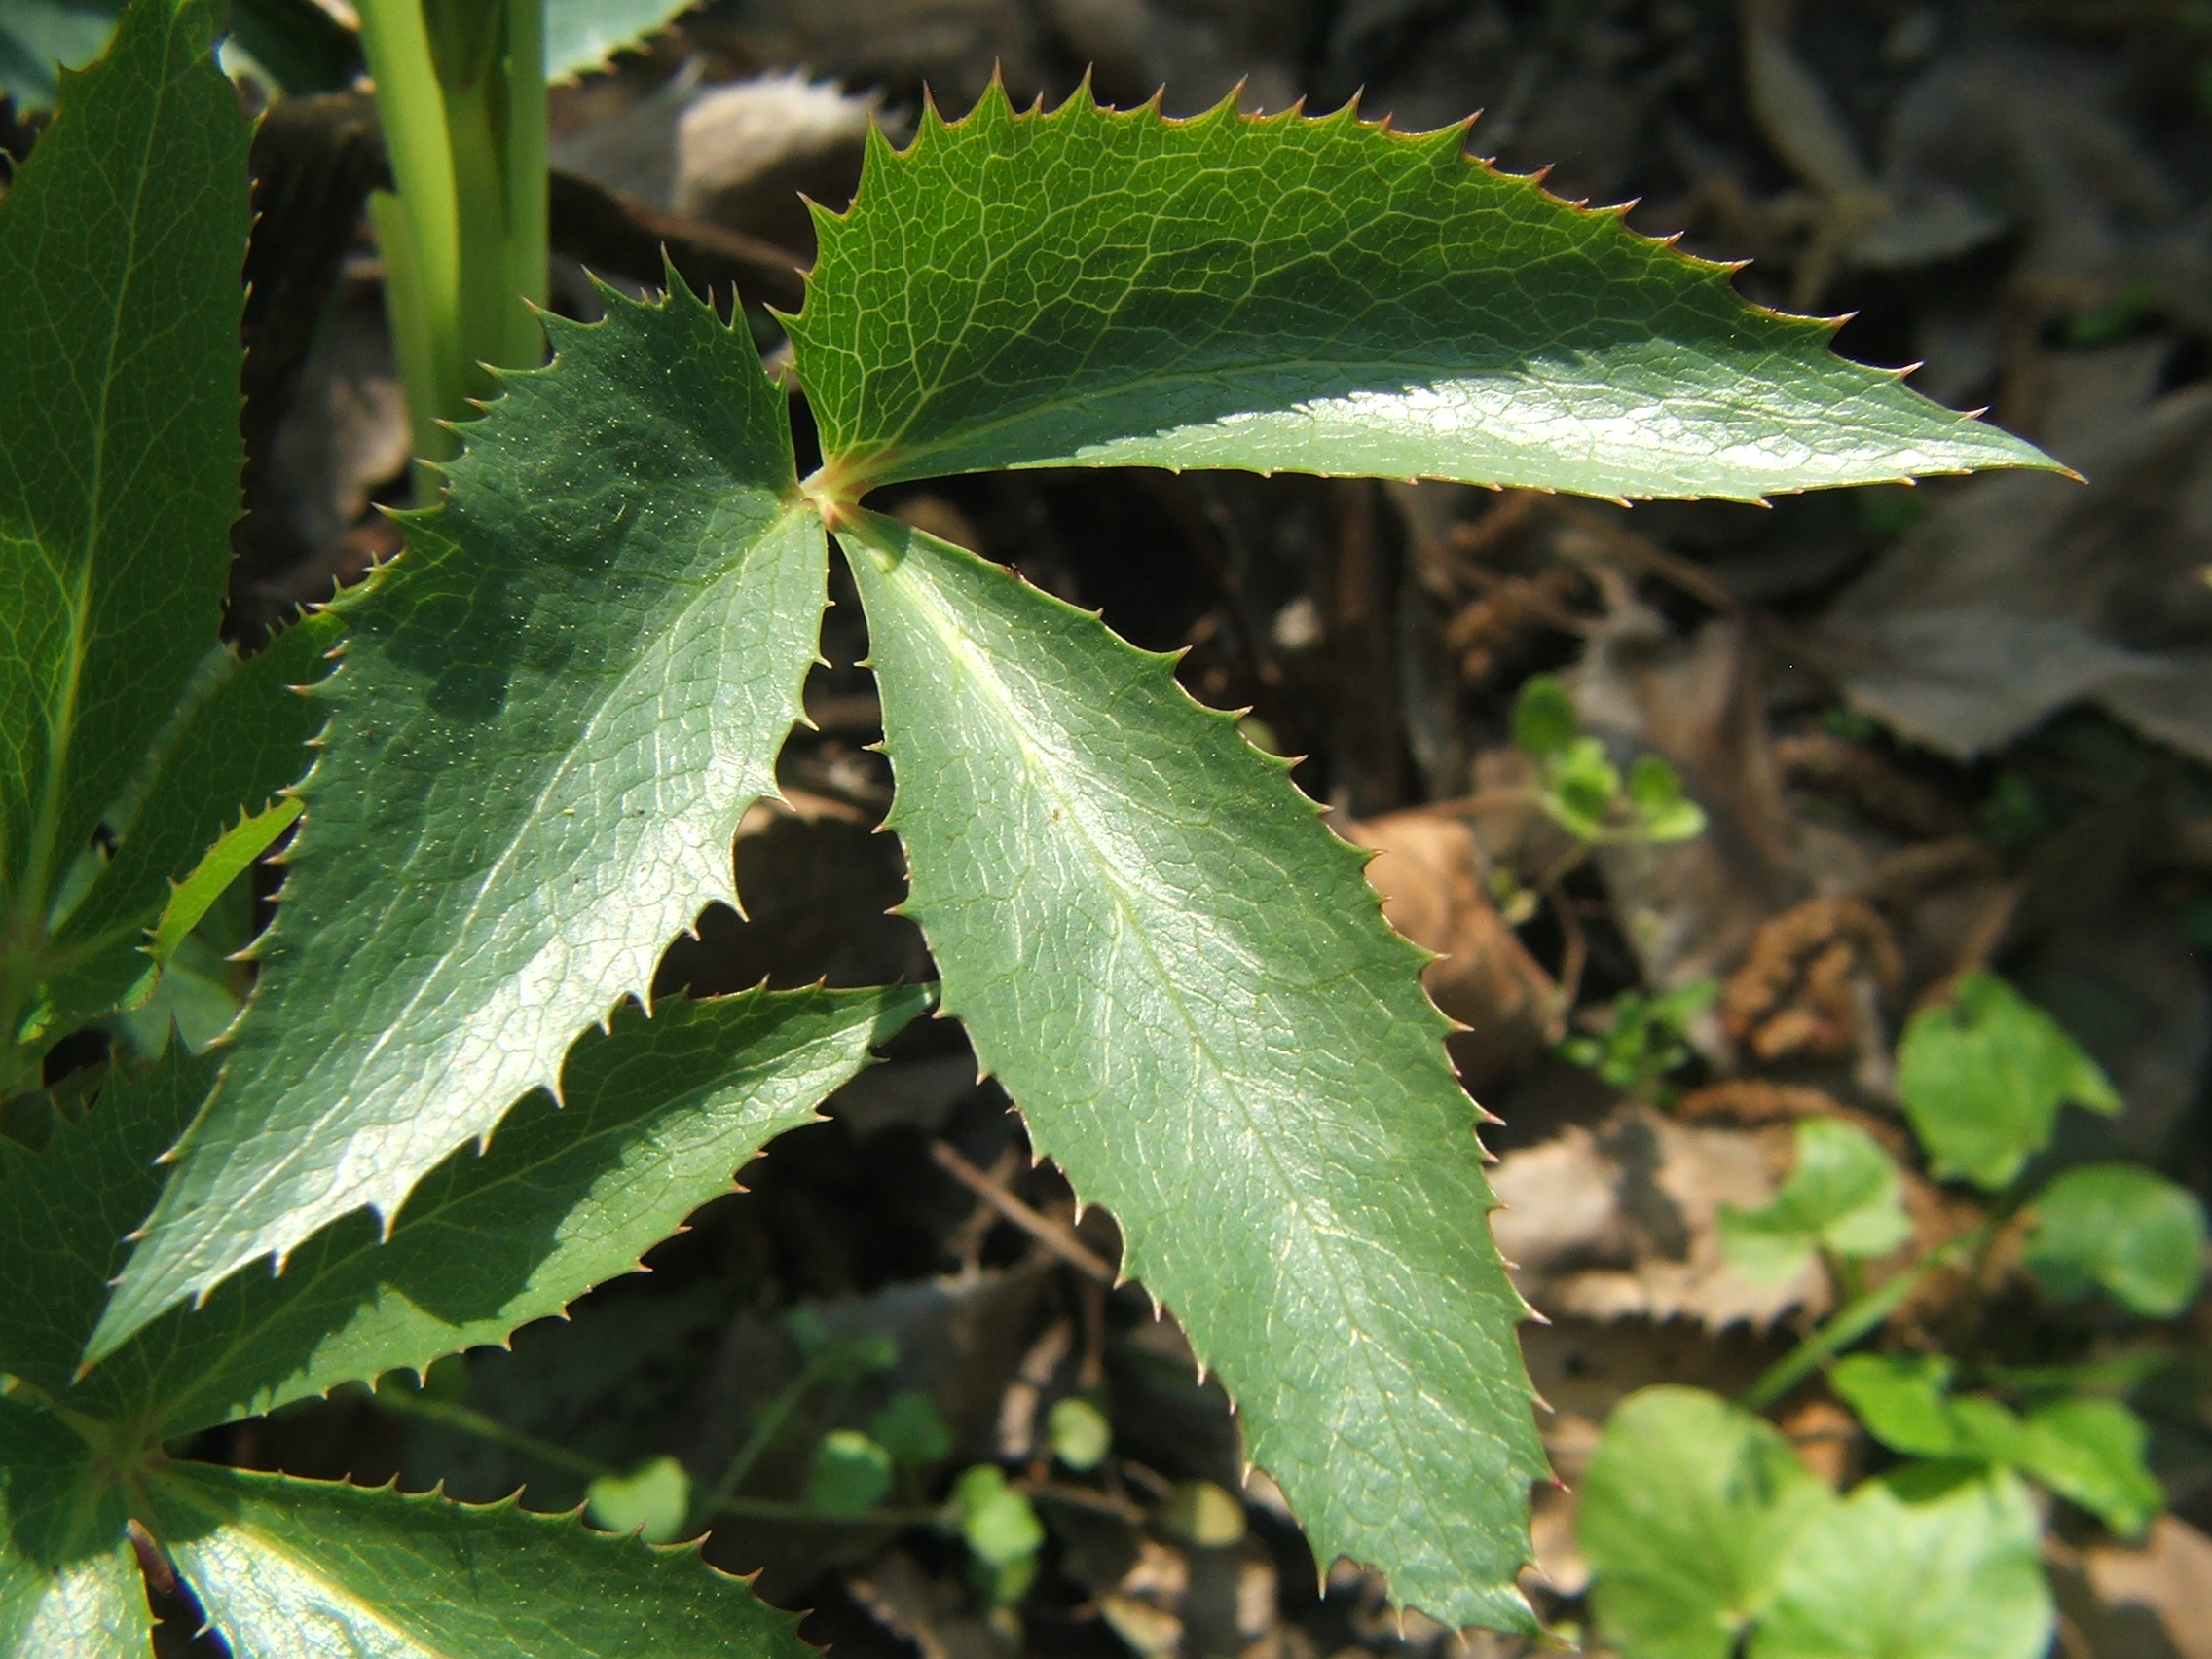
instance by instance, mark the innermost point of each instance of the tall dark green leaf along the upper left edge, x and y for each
(121, 253)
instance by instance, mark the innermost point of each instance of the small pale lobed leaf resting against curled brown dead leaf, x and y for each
(1844, 1196)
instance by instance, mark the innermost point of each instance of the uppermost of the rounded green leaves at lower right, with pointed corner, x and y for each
(1983, 1078)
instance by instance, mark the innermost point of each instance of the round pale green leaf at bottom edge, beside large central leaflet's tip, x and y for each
(1689, 1516)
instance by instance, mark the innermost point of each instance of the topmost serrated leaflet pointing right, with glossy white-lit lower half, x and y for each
(1311, 295)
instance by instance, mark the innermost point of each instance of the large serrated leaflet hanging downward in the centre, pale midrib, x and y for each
(1189, 990)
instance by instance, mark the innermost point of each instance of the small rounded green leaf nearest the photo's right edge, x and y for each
(2122, 1229)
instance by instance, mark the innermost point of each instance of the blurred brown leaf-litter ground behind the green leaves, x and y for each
(1932, 731)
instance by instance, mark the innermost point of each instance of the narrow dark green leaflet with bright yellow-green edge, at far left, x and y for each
(236, 742)
